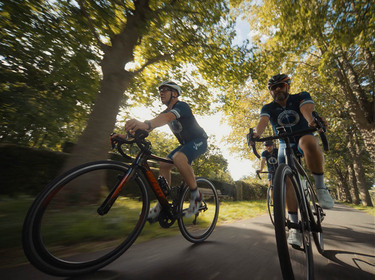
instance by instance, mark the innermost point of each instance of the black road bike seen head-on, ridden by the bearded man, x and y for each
(296, 262)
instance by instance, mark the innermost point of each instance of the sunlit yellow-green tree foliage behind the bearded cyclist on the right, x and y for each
(328, 49)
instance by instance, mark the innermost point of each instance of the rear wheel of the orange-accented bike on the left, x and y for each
(199, 227)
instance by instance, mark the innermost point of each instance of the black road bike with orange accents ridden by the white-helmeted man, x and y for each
(90, 215)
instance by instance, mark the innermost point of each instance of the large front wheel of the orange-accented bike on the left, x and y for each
(62, 227)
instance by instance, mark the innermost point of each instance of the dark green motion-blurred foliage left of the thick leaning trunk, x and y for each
(48, 77)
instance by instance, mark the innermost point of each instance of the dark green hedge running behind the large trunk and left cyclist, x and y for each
(26, 171)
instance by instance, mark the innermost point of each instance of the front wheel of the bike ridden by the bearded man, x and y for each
(295, 263)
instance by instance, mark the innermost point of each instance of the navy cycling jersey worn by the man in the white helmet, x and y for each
(185, 127)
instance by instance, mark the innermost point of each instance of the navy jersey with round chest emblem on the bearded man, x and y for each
(289, 116)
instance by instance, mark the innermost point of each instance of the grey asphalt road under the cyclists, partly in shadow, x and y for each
(241, 250)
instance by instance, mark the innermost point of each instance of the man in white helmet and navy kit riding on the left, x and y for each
(192, 139)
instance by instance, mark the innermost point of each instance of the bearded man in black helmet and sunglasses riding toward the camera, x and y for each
(294, 111)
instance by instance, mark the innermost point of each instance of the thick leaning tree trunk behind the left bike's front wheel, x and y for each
(93, 144)
